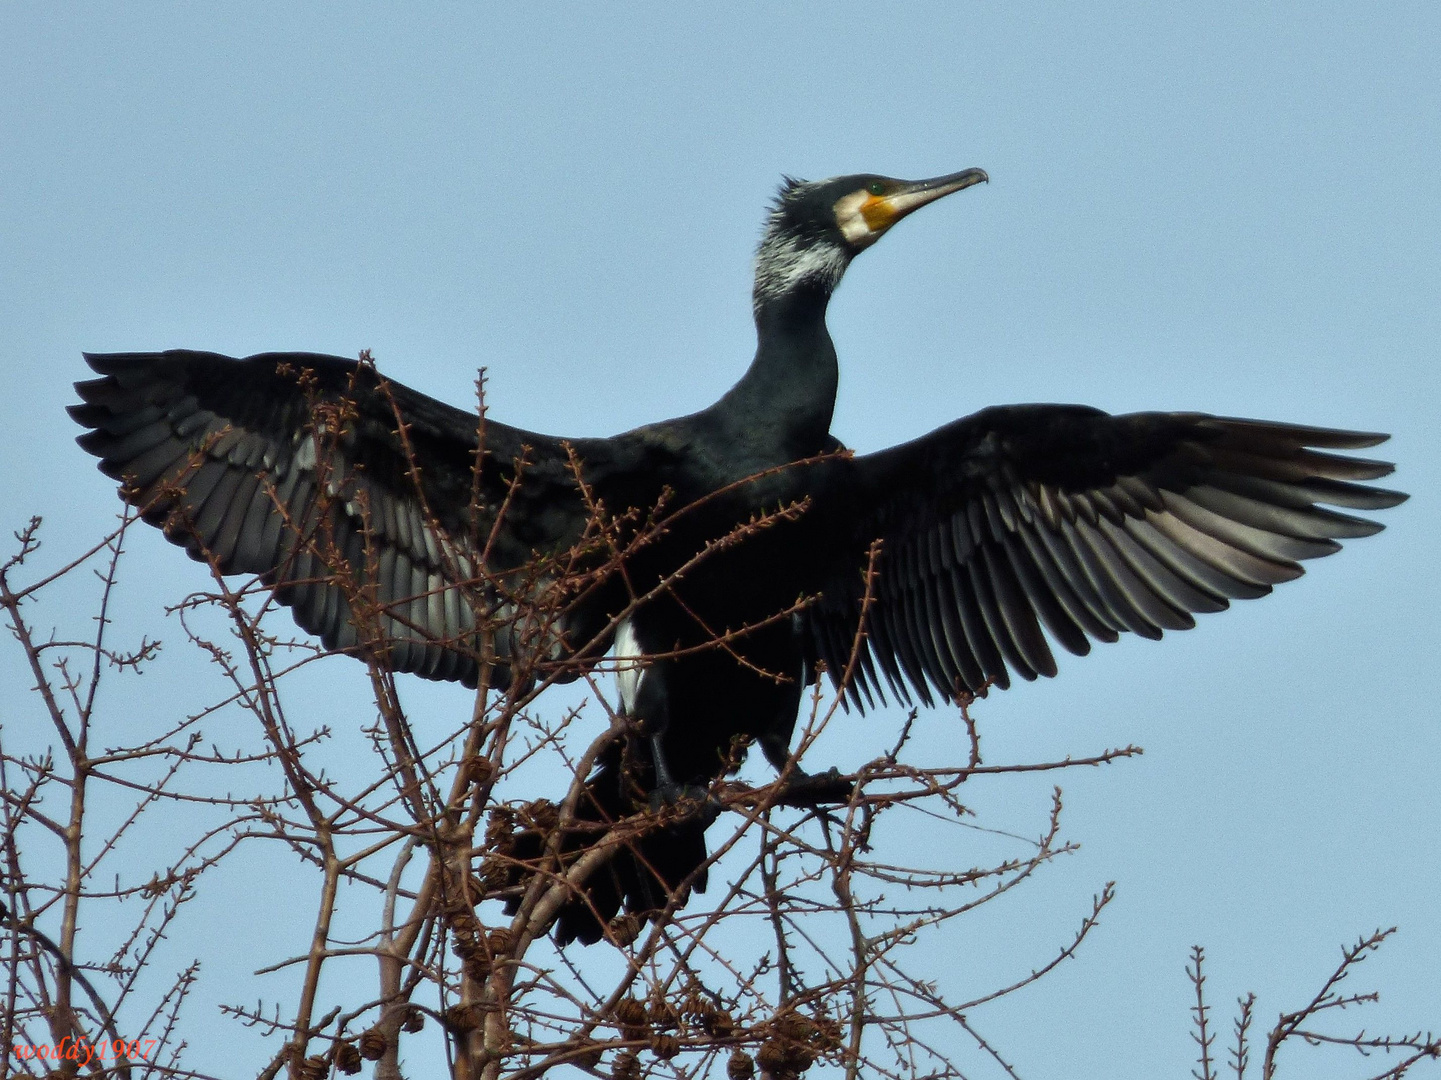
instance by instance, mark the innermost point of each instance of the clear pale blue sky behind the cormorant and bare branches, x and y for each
(1227, 208)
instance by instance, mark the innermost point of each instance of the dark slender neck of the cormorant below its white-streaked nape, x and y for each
(789, 393)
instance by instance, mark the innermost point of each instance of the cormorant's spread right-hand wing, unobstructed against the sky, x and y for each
(1028, 521)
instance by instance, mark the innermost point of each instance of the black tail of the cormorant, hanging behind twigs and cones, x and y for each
(656, 854)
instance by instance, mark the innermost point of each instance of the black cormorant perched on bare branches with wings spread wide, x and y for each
(998, 530)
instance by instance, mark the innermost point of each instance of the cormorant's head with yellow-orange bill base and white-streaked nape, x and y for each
(816, 229)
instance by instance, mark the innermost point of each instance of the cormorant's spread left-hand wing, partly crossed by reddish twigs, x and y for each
(293, 466)
